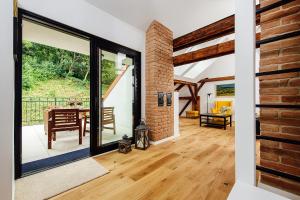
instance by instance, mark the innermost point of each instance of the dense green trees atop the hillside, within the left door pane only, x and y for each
(41, 63)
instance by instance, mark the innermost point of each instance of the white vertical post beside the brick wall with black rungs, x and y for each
(245, 92)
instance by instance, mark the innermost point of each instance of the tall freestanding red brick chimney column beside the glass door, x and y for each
(159, 78)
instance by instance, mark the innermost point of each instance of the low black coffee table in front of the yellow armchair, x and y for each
(211, 119)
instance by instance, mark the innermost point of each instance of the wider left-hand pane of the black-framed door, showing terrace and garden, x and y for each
(55, 76)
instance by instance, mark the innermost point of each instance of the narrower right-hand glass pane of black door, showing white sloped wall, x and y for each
(117, 97)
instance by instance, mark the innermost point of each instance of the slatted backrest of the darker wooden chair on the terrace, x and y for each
(63, 118)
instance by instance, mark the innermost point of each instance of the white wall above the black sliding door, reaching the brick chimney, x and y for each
(84, 16)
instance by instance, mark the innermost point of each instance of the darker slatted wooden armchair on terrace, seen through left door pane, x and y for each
(63, 120)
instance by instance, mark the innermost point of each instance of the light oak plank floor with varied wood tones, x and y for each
(198, 165)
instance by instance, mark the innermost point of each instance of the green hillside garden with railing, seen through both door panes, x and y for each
(54, 77)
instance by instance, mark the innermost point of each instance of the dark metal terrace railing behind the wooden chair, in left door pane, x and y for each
(33, 107)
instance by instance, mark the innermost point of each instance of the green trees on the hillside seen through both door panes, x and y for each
(44, 63)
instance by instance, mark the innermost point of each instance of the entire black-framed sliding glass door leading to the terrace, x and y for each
(63, 69)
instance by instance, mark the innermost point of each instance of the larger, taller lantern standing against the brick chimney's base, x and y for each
(141, 136)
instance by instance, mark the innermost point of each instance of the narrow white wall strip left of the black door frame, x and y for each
(7, 100)
